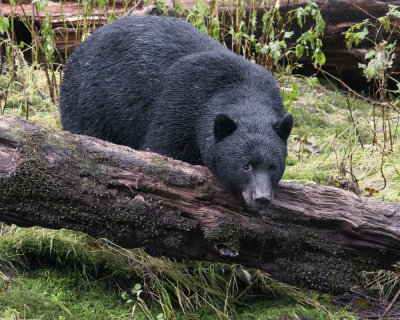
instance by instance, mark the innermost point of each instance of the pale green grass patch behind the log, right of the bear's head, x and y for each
(325, 148)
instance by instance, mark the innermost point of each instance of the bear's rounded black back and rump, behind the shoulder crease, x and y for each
(111, 79)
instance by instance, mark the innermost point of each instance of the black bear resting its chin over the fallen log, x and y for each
(159, 83)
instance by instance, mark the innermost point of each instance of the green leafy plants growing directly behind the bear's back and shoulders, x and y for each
(276, 47)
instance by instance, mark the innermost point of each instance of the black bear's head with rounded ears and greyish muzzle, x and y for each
(249, 158)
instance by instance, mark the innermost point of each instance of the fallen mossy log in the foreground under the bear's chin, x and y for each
(312, 236)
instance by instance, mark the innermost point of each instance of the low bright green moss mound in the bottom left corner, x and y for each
(62, 294)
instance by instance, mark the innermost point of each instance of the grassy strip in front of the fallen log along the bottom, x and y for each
(73, 276)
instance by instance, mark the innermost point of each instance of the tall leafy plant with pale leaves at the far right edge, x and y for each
(377, 69)
